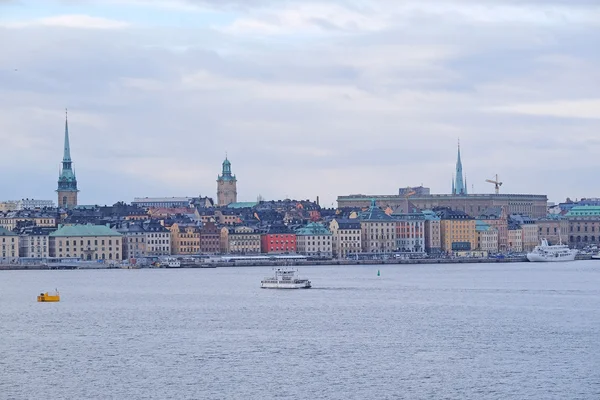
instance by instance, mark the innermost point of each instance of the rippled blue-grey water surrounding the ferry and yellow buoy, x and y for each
(497, 331)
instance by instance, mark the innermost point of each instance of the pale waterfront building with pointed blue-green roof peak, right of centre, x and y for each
(378, 230)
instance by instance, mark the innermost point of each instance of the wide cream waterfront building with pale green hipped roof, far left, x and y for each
(87, 242)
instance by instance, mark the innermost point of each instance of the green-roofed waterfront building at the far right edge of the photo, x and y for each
(584, 226)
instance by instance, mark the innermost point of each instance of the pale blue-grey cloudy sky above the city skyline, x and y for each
(308, 98)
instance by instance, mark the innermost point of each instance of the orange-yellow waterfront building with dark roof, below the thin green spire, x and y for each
(457, 231)
